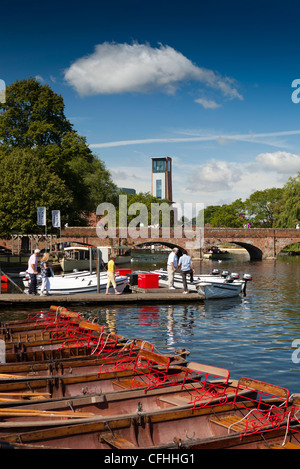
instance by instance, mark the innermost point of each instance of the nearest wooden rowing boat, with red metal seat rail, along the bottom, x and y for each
(171, 425)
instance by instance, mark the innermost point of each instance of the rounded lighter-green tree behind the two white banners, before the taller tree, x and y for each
(26, 183)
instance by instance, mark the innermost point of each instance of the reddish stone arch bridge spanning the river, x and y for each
(261, 243)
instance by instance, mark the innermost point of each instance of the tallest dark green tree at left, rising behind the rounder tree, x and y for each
(33, 118)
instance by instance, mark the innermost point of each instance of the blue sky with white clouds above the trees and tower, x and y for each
(208, 84)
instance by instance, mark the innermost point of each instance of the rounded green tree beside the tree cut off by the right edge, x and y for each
(260, 206)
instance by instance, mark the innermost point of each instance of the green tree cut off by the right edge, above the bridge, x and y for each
(287, 210)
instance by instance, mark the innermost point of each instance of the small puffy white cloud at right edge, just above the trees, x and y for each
(280, 161)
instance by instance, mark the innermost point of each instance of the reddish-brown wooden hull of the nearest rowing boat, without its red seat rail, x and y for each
(172, 427)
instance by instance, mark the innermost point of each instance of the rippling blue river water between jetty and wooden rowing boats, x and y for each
(254, 336)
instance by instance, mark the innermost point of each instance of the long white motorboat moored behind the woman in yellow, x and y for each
(79, 282)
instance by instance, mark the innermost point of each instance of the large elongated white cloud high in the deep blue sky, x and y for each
(123, 68)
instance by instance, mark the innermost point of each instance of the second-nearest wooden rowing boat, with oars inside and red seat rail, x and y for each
(192, 392)
